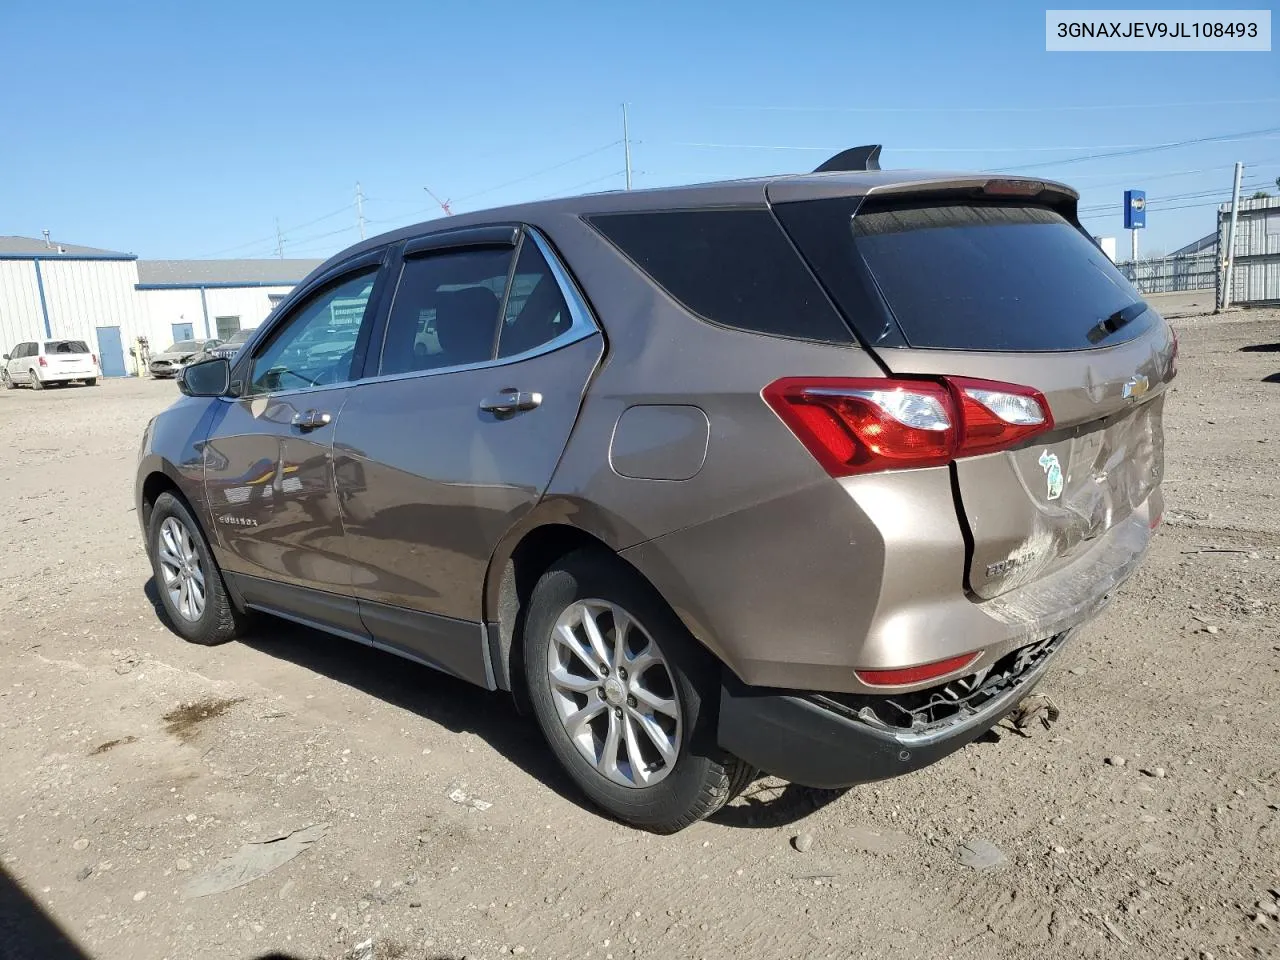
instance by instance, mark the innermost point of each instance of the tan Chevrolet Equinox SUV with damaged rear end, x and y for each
(812, 476)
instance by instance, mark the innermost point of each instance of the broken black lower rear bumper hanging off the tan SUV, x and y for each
(835, 742)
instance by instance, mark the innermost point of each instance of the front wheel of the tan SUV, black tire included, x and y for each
(191, 587)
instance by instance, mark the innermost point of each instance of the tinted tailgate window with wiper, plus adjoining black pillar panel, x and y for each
(968, 276)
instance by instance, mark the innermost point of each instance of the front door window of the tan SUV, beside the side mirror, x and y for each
(317, 346)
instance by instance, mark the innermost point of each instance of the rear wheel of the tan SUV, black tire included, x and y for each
(625, 697)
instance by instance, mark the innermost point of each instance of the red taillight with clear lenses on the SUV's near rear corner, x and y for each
(866, 426)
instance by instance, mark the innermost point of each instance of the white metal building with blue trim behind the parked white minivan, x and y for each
(109, 300)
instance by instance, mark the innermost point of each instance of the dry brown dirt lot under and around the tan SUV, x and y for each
(132, 764)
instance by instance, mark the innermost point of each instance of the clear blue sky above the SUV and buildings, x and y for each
(185, 130)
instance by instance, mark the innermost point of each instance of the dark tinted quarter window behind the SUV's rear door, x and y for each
(730, 267)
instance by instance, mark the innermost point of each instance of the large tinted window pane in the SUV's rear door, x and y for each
(446, 310)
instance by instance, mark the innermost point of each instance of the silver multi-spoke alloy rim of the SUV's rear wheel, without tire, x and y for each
(615, 694)
